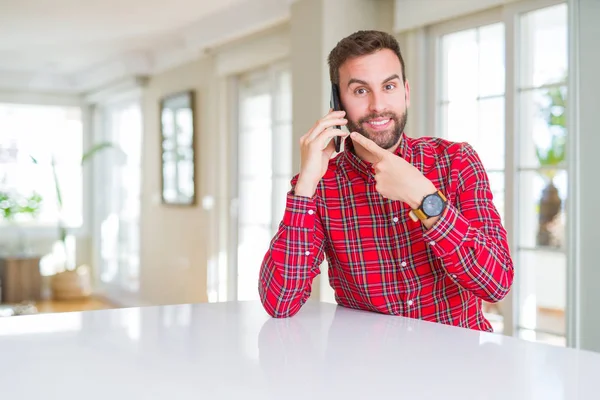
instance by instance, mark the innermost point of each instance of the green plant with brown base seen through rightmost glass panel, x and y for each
(551, 157)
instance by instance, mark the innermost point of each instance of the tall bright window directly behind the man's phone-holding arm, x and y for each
(264, 168)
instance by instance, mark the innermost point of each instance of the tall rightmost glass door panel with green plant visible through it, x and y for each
(541, 178)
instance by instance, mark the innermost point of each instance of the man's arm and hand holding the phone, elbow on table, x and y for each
(296, 251)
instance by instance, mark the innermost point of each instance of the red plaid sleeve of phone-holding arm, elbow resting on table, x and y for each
(293, 258)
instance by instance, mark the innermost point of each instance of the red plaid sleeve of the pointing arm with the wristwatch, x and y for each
(469, 238)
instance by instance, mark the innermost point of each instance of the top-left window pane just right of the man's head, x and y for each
(460, 66)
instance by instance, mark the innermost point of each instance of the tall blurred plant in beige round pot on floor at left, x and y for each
(75, 282)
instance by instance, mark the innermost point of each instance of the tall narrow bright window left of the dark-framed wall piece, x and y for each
(117, 204)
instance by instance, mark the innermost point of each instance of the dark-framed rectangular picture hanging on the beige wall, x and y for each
(178, 157)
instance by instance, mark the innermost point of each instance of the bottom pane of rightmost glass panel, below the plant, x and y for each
(542, 290)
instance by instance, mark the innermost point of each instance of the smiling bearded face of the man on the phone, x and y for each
(374, 97)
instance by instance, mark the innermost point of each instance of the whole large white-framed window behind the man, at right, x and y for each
(523, 151)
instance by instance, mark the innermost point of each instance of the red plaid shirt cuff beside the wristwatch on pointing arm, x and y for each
(449, 232)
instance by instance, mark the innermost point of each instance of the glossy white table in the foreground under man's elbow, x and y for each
(235, 351)
